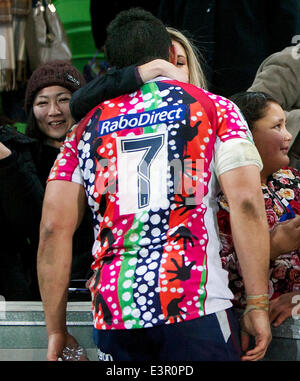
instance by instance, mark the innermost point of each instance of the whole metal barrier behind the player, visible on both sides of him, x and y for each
(23, 335)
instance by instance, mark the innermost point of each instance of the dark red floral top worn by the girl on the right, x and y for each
(285, 269)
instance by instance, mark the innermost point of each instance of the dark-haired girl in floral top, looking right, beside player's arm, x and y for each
(281, 189)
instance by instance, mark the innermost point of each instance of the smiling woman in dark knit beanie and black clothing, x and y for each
(48, 92)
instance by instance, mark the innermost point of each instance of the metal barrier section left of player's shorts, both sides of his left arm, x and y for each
(23, 335)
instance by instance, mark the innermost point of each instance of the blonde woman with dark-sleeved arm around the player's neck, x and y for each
(121, 81)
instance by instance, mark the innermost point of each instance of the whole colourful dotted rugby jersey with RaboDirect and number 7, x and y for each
(147, 163)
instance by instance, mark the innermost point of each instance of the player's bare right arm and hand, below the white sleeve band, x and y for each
(242, 189)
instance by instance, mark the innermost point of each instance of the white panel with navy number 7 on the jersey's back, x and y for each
(142, 172)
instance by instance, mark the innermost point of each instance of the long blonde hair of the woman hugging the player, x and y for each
(196, 75)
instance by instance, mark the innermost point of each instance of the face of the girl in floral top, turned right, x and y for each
(272, 139)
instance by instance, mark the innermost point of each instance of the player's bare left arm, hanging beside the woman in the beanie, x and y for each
(63, 209)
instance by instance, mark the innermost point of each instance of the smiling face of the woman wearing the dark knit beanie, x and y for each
(52, 113)
